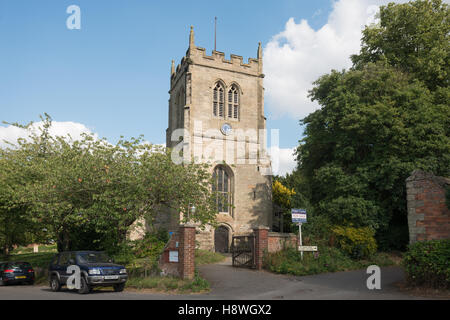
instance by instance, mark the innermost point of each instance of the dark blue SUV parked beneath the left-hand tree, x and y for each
(96, 268)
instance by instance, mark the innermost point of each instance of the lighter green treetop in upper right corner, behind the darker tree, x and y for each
(412, 37)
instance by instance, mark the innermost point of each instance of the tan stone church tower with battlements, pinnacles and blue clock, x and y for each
(216, 110)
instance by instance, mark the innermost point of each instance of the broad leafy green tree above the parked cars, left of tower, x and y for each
(87, 193)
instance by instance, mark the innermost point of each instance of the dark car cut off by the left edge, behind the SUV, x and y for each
(16, 272)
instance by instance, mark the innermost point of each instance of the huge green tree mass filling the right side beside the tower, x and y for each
(380, 120)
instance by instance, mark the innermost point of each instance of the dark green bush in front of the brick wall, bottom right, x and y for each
(427, 263)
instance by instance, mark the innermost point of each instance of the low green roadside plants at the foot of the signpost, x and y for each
(328, 259)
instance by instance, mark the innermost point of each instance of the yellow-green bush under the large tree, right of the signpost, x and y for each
(358, 243)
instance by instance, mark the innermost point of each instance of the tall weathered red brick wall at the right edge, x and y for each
(428, 215)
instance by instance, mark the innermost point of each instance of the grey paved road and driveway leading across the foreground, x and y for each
(243, 284)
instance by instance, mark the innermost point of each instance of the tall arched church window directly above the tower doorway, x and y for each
(223, 188)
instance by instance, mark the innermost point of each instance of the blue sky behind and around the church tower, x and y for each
(112, 76)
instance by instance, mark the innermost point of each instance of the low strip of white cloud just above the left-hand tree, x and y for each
(74, 129)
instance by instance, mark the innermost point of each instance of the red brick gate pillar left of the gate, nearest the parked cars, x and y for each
(186, 251)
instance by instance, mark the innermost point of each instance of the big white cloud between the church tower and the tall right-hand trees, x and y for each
(299, 55)
